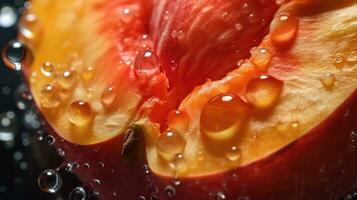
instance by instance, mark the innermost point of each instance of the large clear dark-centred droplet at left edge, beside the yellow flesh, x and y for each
(16, 55)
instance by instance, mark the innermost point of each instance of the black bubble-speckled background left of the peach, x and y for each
(24, 157)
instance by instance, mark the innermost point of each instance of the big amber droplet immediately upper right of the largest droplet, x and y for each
(264, 91)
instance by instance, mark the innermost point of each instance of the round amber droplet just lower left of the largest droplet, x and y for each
(169, 144)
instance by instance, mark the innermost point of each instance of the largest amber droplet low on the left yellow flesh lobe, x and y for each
(80, 113)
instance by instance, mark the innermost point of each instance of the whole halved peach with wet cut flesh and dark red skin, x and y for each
(200, 95)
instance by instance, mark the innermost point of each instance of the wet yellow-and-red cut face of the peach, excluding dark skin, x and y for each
(214, 85)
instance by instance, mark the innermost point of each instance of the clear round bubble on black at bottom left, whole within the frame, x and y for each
(50, 181)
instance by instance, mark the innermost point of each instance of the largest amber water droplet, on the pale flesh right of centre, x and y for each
(223, 116)
